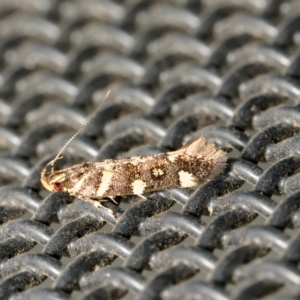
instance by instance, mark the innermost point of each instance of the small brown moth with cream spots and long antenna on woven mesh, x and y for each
(191, 165)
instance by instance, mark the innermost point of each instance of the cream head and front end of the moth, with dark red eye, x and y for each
(63, 180)
